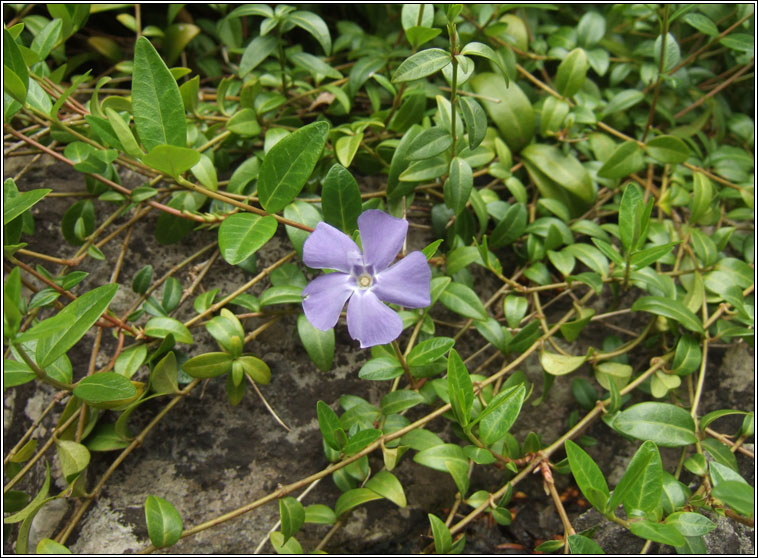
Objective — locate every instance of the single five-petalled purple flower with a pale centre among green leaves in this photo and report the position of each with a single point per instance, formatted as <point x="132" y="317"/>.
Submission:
<point x="364" y="279"/>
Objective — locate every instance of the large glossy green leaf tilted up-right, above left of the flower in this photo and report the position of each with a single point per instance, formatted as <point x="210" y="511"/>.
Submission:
<point x="288" y="165"/>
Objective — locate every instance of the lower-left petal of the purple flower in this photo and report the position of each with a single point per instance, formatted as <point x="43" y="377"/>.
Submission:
<point x="324" y="297"/>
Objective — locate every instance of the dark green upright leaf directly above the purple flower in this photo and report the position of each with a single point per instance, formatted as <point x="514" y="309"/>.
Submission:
<point x="341" y="199"/>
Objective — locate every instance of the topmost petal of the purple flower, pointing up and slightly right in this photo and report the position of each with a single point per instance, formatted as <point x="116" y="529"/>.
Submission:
<point x="382" y="236"/>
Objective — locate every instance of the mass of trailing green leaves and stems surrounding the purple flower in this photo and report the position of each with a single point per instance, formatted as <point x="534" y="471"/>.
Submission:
<point x="559" y="167"/>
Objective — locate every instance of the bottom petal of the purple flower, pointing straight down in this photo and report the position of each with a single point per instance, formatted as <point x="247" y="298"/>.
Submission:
<point x="371" y="322"/>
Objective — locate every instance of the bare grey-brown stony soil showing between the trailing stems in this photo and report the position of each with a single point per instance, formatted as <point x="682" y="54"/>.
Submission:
<point x="208" y="457"/>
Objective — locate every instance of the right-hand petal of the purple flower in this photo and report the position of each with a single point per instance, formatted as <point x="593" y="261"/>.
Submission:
<point x="406" y="283"/>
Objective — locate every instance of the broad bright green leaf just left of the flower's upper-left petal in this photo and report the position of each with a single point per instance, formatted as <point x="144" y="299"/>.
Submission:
<point x="241" y="235"/>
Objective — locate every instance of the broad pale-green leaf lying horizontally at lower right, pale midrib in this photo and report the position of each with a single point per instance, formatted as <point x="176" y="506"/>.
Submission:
<point x="665" y="424"/>
